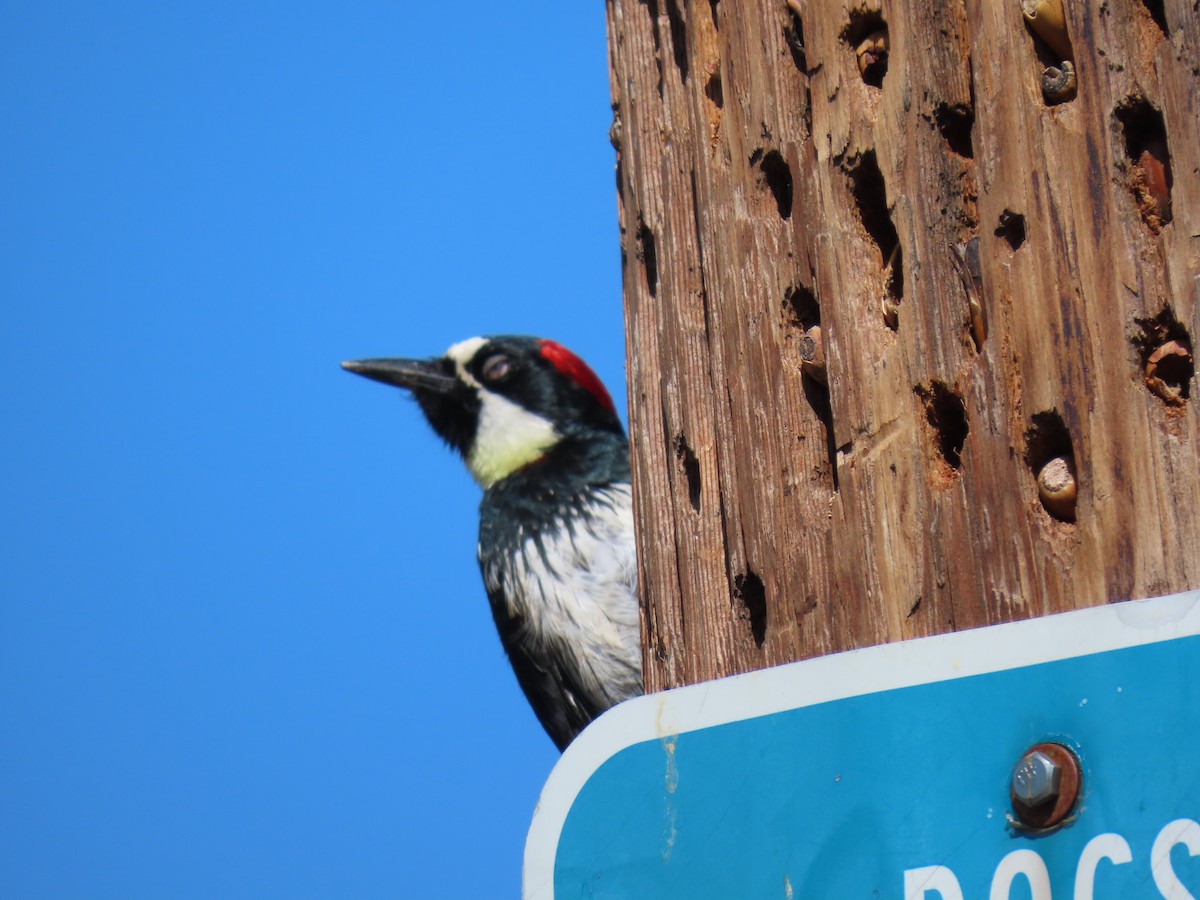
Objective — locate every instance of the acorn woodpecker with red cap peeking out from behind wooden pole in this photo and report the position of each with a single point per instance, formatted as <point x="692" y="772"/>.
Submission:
<point x="541" y="435"/>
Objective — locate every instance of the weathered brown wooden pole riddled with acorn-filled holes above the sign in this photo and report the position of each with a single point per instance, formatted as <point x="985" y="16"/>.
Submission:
<point x="991" y="233"/>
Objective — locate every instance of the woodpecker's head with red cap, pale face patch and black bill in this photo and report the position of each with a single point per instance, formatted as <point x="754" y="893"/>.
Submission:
<point x="503" y="403"/>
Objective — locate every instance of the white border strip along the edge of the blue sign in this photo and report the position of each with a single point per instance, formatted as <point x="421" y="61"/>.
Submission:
<point x="839" y="676"/>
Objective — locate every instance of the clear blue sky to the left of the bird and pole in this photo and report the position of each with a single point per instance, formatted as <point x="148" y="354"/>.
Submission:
<point x="244" y="647"/>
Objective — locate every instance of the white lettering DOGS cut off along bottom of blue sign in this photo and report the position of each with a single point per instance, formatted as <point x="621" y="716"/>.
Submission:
<point x="939" y="883"/>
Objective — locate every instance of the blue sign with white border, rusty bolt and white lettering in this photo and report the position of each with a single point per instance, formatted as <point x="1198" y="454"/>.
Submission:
<point x="1057" y="759"/>
